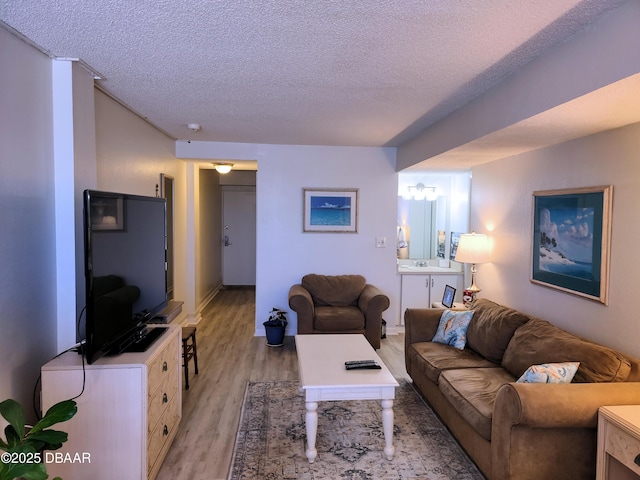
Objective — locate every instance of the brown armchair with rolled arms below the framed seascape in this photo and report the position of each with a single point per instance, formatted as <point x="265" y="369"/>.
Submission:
<point x="338" y="304"/>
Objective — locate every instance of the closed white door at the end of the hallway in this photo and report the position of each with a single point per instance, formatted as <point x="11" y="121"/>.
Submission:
<point x="239" y="236"/>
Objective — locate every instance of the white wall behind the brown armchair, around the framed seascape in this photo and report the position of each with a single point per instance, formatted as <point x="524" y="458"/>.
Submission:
<point x="284" y="252"/>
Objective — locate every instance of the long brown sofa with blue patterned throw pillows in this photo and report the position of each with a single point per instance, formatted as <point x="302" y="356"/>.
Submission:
<point x="518" y="431"/>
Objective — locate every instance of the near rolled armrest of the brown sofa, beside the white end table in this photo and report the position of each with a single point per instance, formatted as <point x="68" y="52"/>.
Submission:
<point x="550" y="429"/>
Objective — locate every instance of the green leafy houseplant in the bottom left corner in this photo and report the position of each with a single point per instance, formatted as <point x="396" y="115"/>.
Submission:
<point x="22" y="455"/>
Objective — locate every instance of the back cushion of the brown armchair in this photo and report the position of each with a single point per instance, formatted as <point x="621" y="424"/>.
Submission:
<point x="334" y="290"/>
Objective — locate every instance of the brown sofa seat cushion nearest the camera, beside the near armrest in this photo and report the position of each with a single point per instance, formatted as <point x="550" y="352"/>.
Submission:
<point x="472" y="392"/>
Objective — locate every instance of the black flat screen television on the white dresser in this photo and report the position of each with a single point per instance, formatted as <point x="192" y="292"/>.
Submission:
<point x="125" y="270"/>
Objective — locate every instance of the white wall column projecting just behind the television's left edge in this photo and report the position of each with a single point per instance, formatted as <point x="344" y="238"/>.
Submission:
<point x="74" y="160"/>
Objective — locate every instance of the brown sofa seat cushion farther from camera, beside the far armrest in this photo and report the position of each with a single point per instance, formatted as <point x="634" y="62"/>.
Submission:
<point x="432" y="358"/>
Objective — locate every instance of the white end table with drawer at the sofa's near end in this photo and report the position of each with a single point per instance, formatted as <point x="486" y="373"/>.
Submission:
<point x="618" y="443"/>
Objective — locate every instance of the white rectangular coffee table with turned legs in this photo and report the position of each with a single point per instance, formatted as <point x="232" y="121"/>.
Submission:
<point x="323" y="377"/>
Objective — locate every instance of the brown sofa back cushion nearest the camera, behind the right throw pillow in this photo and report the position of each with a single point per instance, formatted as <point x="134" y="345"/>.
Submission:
<point x="538" y="342"/>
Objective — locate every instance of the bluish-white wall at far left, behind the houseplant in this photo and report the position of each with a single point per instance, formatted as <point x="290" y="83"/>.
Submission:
<point x="27" y="218"/>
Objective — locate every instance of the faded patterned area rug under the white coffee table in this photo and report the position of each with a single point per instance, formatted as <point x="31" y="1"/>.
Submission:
<point x="271" y="439"/>
